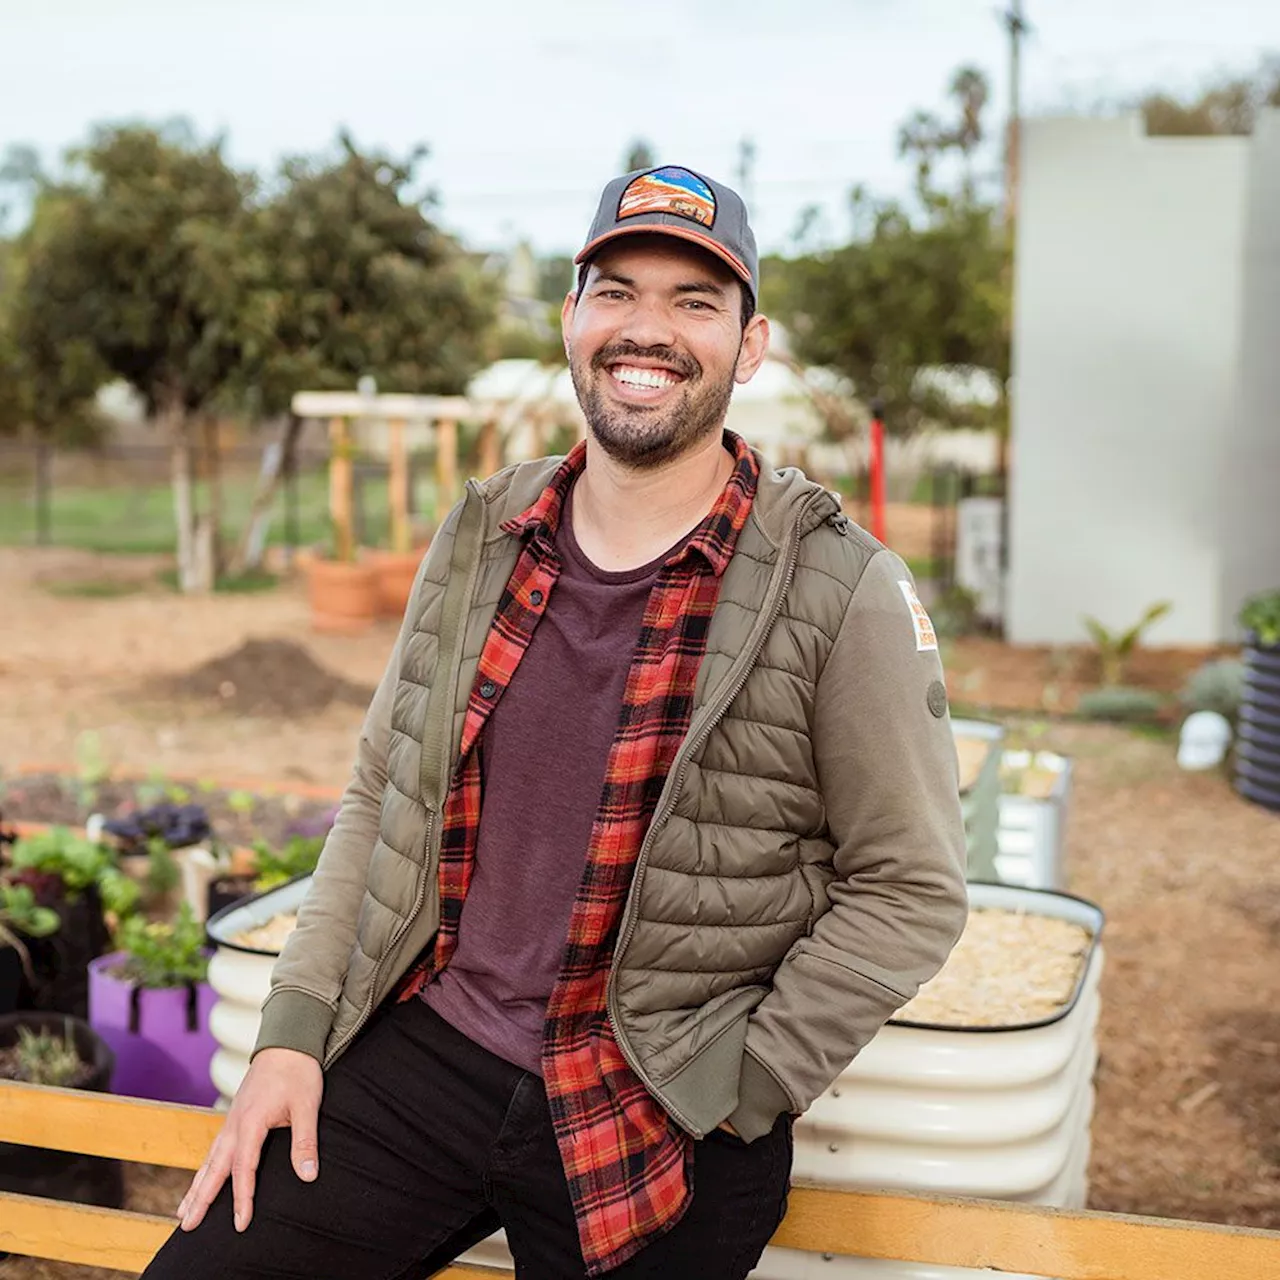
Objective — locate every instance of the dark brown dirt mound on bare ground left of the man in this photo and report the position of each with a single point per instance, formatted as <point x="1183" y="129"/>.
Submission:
<point x="268" y="678"/>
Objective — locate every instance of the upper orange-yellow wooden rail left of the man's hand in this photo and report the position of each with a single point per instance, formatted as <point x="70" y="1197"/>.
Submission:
<point x="102" y="1124"/>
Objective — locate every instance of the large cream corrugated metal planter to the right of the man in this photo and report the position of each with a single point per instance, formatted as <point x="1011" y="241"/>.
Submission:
<point x="999" y="1113"/>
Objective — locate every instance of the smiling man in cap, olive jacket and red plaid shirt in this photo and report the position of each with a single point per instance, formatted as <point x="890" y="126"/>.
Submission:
<point x="653" y="824"/>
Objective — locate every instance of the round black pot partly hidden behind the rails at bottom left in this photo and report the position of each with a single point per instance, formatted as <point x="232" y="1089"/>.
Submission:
<point x="61" y="1174"/>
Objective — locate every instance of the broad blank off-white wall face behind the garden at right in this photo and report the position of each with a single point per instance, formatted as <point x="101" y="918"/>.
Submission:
<point x="1128" y="309"/>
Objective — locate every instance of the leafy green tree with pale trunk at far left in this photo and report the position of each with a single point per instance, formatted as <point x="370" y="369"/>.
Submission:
<point x="140" y="267"/>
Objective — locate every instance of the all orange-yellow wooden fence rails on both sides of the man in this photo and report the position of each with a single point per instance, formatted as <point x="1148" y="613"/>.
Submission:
<point x="961" y="1233"/>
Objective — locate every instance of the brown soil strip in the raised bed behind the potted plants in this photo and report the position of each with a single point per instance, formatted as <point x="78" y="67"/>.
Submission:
<point x="57" y="799"/>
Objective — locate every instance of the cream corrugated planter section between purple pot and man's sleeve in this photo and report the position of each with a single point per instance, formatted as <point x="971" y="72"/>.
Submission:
<point x="241" y="976"/>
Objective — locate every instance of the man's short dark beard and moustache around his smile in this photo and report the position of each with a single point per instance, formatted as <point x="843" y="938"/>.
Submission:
<point x="646" y="437"/>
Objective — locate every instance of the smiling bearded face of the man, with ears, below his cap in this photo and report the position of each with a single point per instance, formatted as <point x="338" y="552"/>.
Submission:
<point x="656" y="344"/>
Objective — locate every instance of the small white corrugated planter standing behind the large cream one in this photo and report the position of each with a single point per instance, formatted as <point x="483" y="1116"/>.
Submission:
<point x="1032" y="825"/>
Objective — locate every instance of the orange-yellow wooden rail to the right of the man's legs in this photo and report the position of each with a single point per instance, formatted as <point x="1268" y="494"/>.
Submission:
<point x="1026" y="1238"/>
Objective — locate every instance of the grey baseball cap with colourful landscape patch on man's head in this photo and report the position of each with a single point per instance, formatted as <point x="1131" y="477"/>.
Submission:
<point x="676" y="202"/>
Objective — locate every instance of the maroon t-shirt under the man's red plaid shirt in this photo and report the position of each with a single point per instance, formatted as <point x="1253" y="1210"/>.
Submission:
<point x="543" y="755"/>
